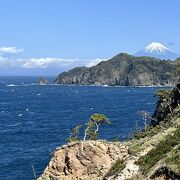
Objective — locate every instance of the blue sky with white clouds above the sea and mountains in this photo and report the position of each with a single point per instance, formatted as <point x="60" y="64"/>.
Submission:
<point x="51" y="36"/>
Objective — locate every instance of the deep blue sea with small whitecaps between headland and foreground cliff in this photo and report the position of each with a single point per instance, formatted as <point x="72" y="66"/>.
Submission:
<point x="35" y="119"/>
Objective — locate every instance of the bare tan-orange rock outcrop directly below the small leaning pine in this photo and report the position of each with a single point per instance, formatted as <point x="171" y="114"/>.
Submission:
<point x="86" y="160"/>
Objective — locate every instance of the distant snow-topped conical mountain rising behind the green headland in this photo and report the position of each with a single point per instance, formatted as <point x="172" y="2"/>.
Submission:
<point x="158" y="50"/>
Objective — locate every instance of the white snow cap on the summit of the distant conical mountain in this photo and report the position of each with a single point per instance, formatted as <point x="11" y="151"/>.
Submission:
<point x="156" y="47"/>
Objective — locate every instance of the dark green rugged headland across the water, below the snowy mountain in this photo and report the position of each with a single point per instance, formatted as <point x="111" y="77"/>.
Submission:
<point x="124" y="70"/>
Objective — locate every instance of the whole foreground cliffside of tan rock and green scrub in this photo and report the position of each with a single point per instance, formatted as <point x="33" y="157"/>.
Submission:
<point x="150" y="154"/>
